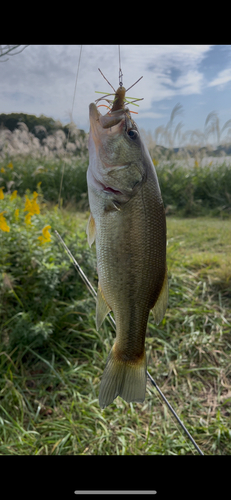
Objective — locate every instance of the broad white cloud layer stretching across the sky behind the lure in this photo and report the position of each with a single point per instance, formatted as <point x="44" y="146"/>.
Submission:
<point x="43" y="77"/>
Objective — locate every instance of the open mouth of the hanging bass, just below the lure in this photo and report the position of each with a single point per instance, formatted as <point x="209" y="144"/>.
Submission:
<point x="106" y="121"/>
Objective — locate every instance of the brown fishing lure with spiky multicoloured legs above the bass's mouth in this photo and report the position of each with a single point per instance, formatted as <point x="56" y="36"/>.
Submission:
<point x="120" y="100"/>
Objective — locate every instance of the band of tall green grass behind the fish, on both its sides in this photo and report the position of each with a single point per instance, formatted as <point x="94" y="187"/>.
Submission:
<point x="187" y="191"/>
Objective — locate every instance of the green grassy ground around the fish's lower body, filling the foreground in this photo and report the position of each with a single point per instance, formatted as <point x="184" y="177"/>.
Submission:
<point x="52" y="357"/>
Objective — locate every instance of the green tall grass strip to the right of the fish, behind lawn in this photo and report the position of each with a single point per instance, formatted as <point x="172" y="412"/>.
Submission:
<point x="199" y="190"/>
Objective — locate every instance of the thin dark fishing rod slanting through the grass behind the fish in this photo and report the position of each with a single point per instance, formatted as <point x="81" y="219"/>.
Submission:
<point x="113" y="324"/>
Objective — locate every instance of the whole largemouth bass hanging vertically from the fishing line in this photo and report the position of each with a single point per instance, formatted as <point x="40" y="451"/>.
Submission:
<point x="127" y="222"/>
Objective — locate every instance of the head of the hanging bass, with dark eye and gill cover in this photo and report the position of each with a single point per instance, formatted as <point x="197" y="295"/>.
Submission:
<point x="116" y="153"/>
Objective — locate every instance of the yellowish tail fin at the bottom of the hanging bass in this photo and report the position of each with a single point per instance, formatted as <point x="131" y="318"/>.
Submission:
<point x="123" y="378"/>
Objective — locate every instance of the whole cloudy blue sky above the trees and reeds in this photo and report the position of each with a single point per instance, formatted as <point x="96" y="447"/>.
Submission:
<point x="41" y="80"/>
